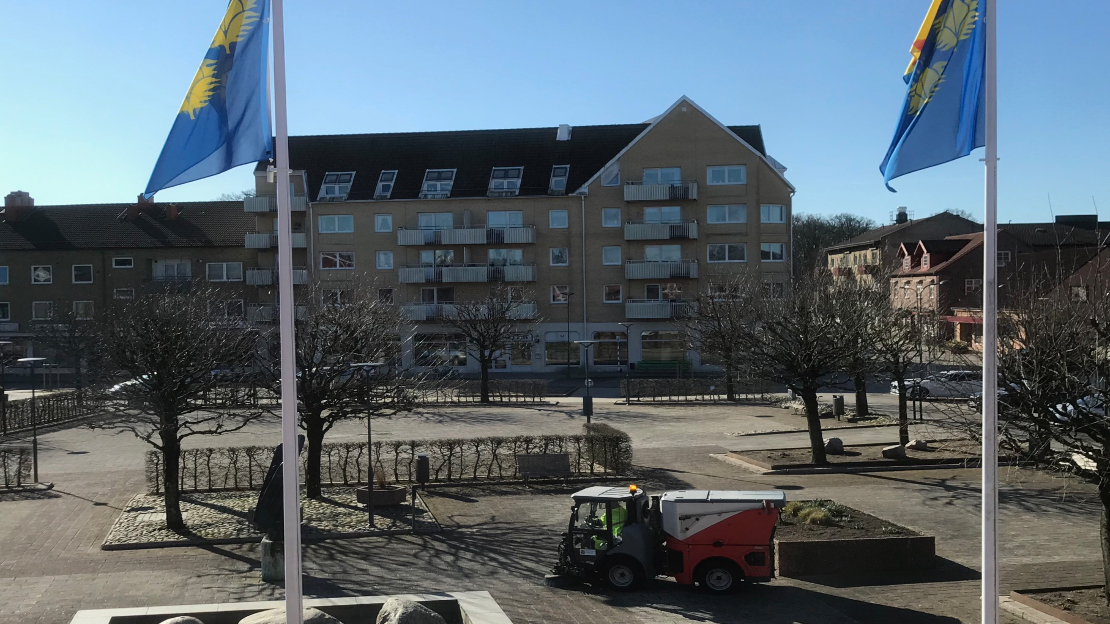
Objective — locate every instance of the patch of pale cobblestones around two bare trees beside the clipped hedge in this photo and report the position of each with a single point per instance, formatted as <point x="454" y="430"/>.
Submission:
<point x="221" y="518"/>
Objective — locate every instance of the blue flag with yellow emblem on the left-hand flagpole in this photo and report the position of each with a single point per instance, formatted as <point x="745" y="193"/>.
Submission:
<point x="225" y="122"/>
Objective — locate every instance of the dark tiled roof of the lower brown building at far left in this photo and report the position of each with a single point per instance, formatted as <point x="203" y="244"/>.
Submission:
<point x="218" y="224"/>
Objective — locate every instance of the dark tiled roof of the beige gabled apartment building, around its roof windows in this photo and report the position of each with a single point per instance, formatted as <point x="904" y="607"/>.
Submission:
<point x="472" y="153"/>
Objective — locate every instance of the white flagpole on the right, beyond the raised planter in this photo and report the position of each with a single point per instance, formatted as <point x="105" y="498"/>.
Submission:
<point x="991" y="334"/>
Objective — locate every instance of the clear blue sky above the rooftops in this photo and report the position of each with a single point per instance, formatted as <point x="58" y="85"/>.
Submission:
<point x="92" y="88"/>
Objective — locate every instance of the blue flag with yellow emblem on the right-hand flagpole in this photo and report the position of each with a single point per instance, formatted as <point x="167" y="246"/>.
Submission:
<point x="944" y="117"/>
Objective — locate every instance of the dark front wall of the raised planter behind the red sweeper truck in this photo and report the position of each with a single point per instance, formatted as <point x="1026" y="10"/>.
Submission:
<point x="855" y="557"/>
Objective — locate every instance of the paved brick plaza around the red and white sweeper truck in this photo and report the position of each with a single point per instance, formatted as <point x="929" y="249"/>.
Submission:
<point x="503" y="539"/>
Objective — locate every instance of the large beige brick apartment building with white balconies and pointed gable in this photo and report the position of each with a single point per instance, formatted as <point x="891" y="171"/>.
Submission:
<point x="592" y="227"/>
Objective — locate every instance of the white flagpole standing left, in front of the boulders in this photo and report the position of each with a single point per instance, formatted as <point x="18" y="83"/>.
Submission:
<point x="291" y="489"/>
